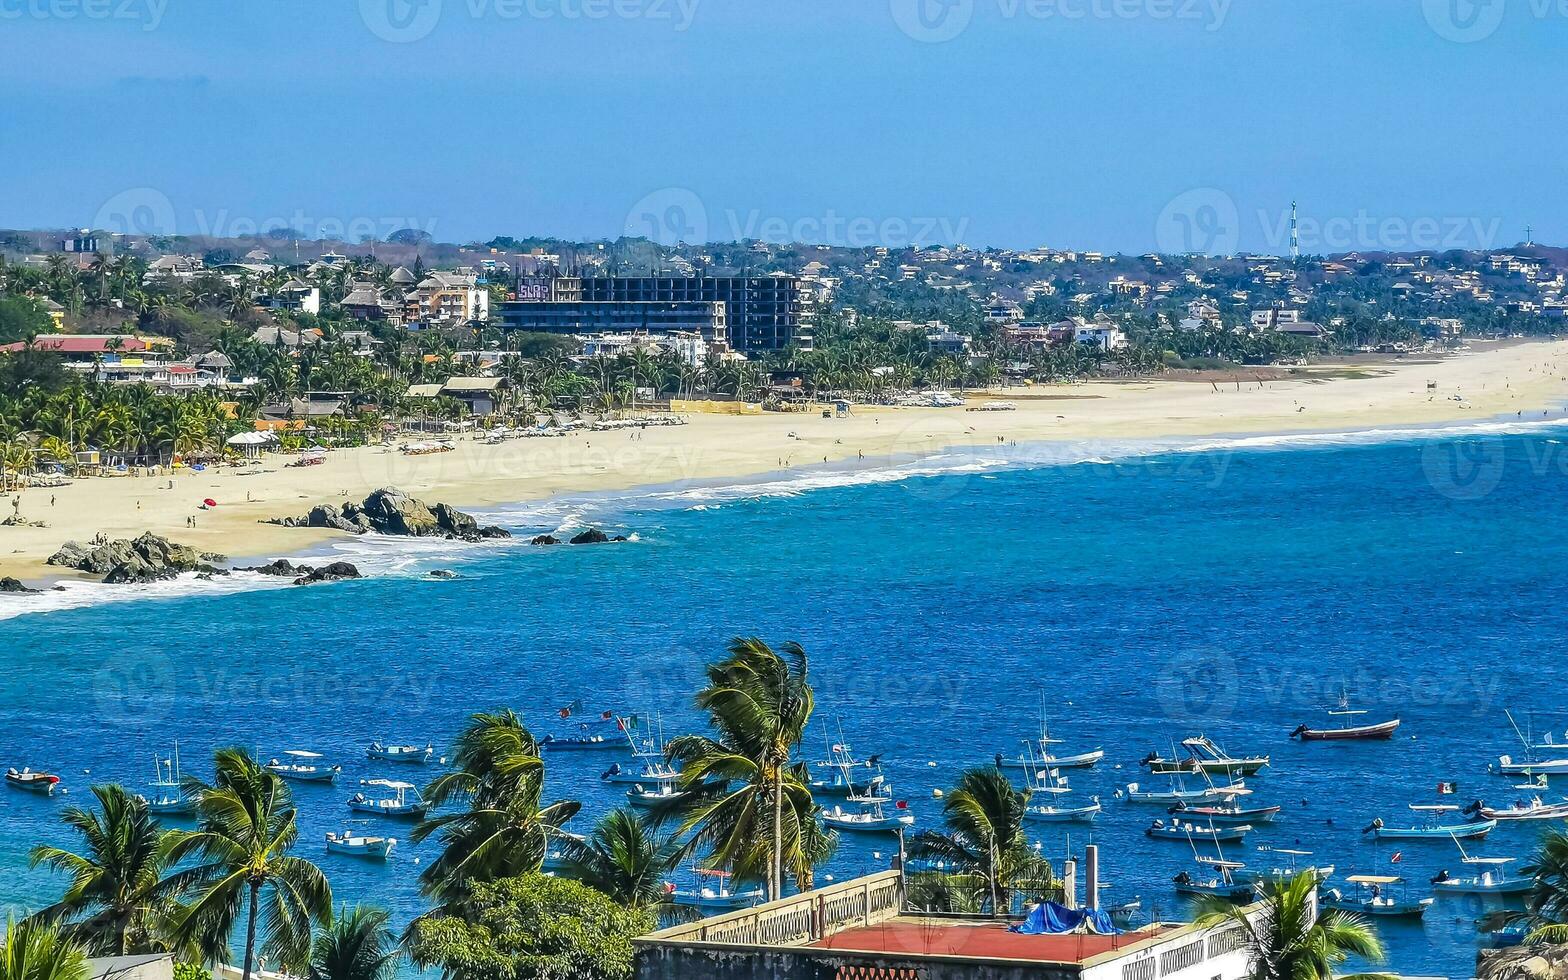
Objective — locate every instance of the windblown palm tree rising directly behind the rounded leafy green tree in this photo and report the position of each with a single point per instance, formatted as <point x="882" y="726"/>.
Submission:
<point x="504" y="830"/>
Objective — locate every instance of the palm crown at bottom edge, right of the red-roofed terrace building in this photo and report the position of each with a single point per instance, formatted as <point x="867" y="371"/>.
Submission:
<point x="1285" y="943"/>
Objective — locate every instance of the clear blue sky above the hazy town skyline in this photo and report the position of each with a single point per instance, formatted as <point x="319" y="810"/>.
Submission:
<point x="1111" y="125"/>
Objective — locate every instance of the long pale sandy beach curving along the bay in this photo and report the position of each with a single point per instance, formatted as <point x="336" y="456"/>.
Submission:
<point x="1492" y="382"/>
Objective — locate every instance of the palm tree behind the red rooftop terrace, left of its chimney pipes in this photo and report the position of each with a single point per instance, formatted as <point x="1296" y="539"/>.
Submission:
<point x="985" y="838"/>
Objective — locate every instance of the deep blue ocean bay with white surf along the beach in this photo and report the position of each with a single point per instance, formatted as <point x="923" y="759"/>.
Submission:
<point x="1150" y="593"/>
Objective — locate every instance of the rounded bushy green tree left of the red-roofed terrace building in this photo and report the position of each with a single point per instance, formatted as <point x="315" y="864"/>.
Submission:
<point x="532" y="927"/>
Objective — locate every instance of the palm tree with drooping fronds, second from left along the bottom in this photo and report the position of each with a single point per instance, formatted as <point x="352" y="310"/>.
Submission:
<point x="247" y="827"/>
